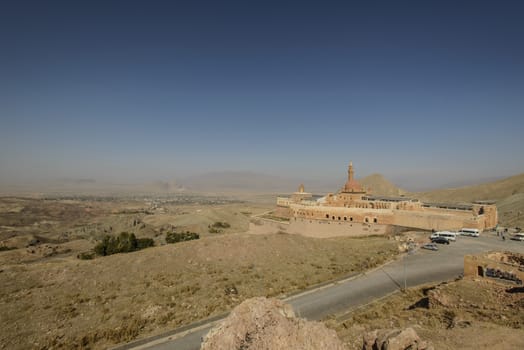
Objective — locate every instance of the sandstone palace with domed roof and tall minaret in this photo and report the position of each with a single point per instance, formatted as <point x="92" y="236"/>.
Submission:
<point x="353" y="211"/>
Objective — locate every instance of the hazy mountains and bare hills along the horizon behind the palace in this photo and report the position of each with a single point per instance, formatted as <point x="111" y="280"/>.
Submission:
<point x="508" y="193"/>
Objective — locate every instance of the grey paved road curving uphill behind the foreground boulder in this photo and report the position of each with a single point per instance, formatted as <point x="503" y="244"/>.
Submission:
<point x="421" y="267"/>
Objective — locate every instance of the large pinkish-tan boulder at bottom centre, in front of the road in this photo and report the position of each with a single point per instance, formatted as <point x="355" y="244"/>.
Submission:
<point x="261" y="323"/>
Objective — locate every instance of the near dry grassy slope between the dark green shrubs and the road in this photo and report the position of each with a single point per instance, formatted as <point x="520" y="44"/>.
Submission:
<point x="71" y="303"/>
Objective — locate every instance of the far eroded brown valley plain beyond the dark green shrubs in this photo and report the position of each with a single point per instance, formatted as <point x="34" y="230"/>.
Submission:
<point x="40" y="228"/>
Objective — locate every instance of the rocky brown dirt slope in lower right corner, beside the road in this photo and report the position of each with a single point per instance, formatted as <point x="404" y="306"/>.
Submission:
<point x="462" y="314"/>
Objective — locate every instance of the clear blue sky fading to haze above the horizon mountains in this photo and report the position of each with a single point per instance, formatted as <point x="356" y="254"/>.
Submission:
<point x="132" y="91"/>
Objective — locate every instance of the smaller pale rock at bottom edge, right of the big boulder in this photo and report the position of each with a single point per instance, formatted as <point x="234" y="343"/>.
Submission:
<point x="394" y="339"/>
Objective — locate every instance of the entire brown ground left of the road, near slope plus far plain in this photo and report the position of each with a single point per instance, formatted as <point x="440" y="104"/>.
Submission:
<point x="51" y="299"/>
